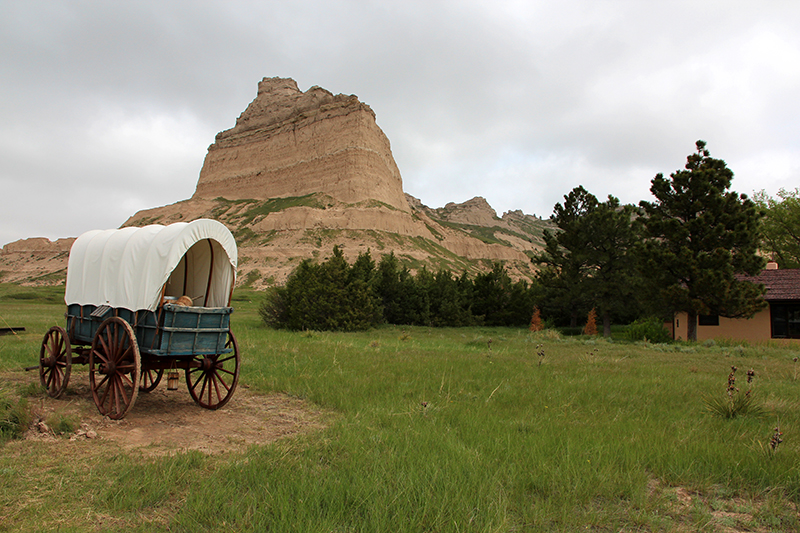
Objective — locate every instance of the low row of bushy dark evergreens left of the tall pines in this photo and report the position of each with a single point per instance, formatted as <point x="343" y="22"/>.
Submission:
<point x="334" y="295"/>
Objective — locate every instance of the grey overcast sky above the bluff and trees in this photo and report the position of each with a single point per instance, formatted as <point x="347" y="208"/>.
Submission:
<point x="109" y="107"/>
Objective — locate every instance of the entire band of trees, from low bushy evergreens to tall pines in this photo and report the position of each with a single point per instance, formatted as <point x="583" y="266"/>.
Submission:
<point x="686" y="250"/>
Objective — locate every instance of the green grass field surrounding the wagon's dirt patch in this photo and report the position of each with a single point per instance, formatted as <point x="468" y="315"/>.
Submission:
<point x="477" y="429"/>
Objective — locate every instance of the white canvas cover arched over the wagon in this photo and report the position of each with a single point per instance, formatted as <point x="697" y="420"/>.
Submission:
<point x="130" y="267"/>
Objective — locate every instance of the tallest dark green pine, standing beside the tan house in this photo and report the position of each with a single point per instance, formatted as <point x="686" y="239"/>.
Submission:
<point x="700" y="236"/>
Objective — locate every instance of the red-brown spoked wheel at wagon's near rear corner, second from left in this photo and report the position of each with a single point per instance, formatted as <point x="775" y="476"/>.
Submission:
<point x="114" y="368"/>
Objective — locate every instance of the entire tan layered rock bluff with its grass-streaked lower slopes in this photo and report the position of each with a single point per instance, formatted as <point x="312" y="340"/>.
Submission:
<point x="301" y="172"/>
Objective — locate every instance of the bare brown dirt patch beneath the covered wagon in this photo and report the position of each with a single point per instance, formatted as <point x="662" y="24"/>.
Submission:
<point x="163" y="422"/>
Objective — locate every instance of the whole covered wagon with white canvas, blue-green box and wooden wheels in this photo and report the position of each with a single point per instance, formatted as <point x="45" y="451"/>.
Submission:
<point x="142" y="301"/>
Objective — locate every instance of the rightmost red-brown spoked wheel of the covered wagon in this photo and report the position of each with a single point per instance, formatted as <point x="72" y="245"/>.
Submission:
<point x="213" y="378"/>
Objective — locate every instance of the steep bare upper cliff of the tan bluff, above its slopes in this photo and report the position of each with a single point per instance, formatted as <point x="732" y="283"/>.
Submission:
<point x="292" y="143"/>
